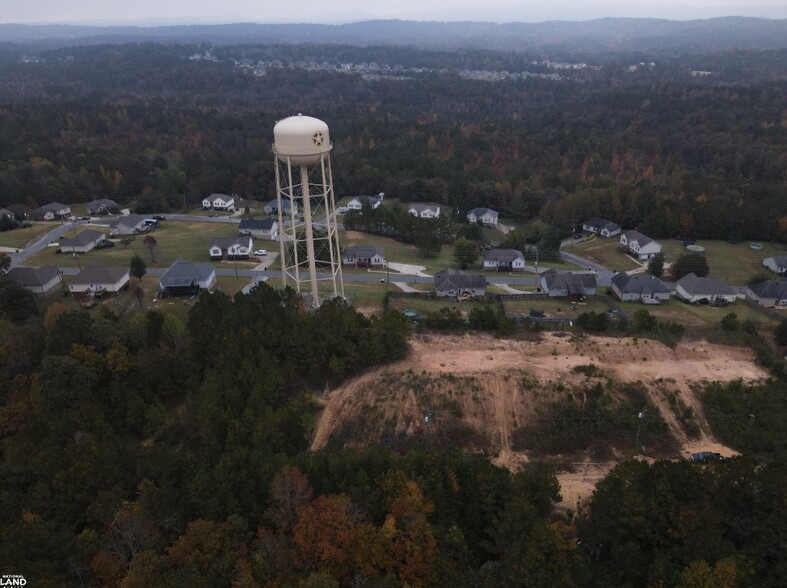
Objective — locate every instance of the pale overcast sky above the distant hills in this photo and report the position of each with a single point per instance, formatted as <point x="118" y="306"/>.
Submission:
<point x="157" y="12"/>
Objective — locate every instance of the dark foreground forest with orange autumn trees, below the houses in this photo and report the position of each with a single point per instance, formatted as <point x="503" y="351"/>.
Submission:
<point x="170" y="454"/>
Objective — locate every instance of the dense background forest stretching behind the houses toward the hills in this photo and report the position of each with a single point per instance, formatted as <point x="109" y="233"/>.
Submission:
<point x="661" y="151"/>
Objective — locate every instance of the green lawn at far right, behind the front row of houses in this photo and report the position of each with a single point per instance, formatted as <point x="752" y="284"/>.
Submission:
<point x="733" y="263"/>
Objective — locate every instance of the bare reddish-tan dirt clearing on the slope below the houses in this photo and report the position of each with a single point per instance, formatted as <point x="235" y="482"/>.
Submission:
<point x="473" y="385"/>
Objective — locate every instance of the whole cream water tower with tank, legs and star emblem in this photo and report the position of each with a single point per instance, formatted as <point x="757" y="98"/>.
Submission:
<point x="308" y="239"/>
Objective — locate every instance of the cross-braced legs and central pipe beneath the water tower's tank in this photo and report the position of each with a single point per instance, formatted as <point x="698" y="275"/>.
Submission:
<point x="309" y="248"/>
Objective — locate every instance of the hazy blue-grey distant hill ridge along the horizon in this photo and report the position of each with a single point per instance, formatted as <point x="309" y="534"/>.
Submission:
<point x="601" y="34"/>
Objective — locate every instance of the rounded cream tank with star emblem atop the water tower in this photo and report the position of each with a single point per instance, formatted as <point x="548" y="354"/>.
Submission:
<point x="301" y="138"/>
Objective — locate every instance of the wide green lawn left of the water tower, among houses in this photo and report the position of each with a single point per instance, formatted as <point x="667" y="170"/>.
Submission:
<point x="185" y="240"/>
